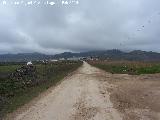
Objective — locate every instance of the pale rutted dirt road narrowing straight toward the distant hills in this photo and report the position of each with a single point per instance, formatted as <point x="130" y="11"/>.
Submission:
<point x="78" y="97"/>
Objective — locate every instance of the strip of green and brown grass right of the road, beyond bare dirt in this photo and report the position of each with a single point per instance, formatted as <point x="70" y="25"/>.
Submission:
<point x="127" y="67"/>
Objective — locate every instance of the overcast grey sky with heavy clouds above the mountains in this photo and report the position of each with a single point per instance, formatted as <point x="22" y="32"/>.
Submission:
<point x="81" y="25"/>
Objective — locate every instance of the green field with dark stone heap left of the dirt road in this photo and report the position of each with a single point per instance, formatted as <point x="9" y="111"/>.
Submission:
<point x="18" y="84"/>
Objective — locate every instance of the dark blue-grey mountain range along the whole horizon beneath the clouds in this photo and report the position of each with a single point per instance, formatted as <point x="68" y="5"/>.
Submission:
<point x="103" y="54"/>
